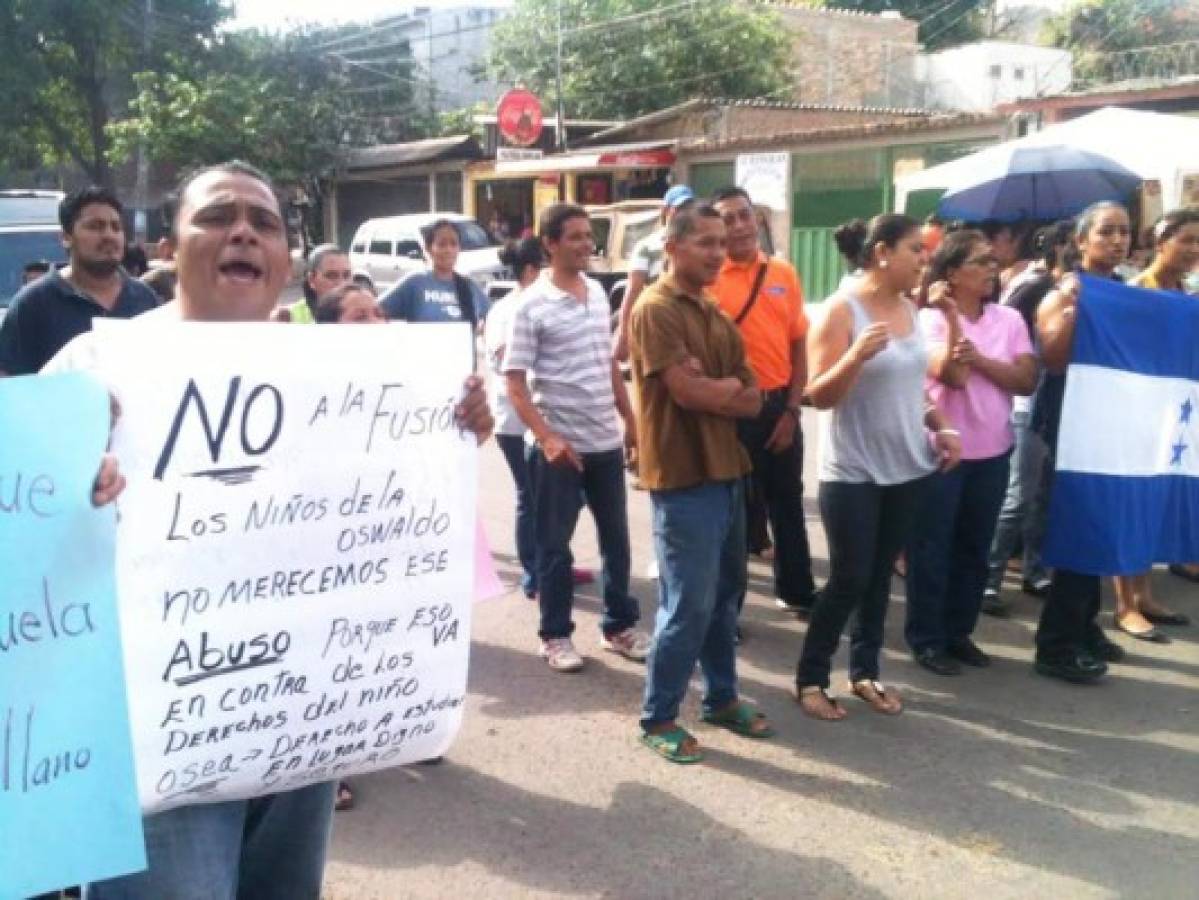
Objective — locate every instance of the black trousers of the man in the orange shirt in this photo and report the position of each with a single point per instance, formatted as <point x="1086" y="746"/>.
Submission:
<point x="780" y="491"/>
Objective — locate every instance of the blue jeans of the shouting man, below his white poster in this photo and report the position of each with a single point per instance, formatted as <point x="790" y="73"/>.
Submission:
<point x="267" y="849"/>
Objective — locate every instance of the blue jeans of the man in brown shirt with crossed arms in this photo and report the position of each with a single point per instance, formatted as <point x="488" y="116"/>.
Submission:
<point x="700" y="537"/>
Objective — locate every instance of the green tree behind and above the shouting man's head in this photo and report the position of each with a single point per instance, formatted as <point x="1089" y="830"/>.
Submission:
<point x="276" y="101"/>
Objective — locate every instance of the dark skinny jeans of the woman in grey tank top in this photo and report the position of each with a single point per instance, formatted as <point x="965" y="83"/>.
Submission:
<point x="867" y="525"/>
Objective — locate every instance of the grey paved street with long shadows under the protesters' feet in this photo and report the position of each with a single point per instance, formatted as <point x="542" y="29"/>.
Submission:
<point x="996" y="784"/>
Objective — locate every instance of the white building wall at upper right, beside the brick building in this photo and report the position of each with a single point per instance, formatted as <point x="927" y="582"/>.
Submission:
<point x="978" y="77"/>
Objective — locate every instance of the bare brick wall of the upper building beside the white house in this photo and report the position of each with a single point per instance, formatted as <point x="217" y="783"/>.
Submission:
<point x="853" y="59"/>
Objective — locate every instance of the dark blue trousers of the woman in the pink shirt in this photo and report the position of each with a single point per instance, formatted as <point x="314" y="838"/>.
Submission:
<point x="948" y="555"/>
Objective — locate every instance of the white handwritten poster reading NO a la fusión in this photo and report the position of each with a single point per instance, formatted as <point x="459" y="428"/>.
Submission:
<point x="296" y="551"/>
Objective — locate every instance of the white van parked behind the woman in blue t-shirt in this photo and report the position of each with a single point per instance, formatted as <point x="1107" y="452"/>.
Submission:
<point x="387" y="250"/>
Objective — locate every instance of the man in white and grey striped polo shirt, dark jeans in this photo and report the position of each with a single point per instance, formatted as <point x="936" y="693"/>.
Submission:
<point x="561" y="339"/>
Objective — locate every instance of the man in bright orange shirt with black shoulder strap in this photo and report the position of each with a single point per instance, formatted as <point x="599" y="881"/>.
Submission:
<point x="763" y="297"/>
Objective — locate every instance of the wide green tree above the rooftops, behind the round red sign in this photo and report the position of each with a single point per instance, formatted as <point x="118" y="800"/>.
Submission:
<point x="625" y="58"/>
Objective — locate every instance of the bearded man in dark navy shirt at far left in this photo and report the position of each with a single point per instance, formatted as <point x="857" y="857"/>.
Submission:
<point x="49" y="313"/>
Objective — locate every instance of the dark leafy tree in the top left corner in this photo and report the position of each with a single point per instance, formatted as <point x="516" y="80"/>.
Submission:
<point x="67" y="65"/>
